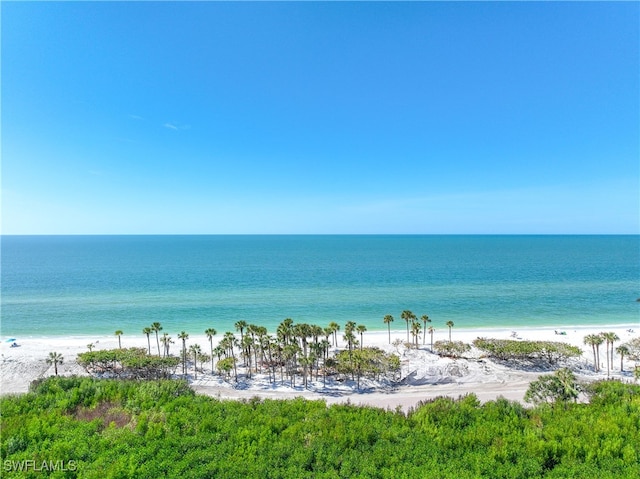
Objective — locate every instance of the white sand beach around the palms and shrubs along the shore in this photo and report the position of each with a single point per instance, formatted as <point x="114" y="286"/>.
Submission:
<point x="424" y="374"/>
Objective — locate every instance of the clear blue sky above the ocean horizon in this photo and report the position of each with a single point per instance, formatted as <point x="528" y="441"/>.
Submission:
<point x="294" y="117"/>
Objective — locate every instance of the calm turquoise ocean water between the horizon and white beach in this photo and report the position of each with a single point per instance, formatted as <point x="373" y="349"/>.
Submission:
<point x="84" y="285"/>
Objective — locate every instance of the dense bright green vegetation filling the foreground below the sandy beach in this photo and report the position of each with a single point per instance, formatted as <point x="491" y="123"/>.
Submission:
<point x="134" y="429"/>
